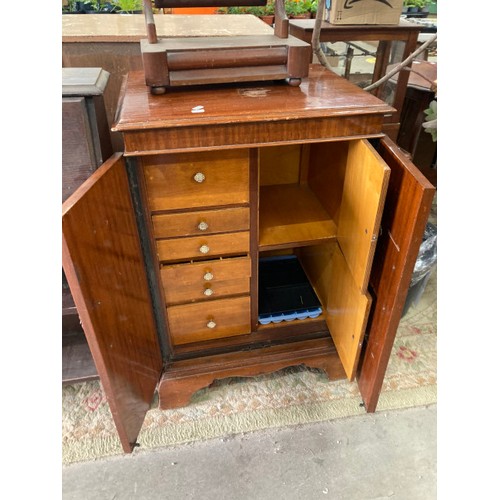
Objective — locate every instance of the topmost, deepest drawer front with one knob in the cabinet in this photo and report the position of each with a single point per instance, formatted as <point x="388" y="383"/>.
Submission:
<point x="192" y="180"/>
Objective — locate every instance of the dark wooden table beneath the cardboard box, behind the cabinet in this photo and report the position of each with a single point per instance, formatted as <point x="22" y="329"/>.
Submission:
<point x="395" y="43"/>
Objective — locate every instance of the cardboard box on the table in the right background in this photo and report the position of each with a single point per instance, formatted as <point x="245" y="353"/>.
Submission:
<point x="363" y="11"/>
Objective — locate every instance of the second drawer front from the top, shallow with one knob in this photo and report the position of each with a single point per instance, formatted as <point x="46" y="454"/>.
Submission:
<point x="201" y="222"/>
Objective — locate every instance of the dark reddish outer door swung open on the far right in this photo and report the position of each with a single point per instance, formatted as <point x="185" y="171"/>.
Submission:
<point x="407" y="206"/>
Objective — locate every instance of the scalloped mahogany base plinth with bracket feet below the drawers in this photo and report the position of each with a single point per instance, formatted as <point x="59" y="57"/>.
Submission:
<point x="183" y="378"/>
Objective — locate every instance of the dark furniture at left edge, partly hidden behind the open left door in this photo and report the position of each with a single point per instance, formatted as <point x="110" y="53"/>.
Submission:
<point x="85" y="145"/>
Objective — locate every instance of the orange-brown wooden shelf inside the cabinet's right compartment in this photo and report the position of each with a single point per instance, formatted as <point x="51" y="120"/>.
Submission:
<point x="292" y="216"/>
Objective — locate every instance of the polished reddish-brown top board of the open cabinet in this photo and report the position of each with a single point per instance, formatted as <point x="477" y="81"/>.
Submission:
<point x="322" y="94"/>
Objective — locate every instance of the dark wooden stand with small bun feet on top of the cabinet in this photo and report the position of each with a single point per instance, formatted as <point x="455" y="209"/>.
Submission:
<point x="195" y="60"/>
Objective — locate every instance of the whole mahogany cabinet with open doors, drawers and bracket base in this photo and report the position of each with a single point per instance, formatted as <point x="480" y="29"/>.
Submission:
<point x="161" y="245"/>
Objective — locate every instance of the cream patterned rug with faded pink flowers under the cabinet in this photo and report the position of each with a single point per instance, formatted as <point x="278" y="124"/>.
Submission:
<point x="292" y="396"/>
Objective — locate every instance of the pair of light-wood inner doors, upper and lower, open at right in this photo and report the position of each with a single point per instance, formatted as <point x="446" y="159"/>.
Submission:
<point x="365" y="187"/>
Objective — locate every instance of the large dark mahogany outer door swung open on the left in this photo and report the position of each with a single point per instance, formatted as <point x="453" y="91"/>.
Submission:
<point x="104" y="265"/>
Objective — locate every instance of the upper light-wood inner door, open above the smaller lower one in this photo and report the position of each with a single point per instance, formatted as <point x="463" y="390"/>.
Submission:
<point x="363" y="196"/>
